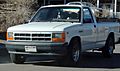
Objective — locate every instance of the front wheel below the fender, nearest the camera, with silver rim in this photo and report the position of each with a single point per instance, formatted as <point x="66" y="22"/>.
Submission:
<point x="74" y="52"/>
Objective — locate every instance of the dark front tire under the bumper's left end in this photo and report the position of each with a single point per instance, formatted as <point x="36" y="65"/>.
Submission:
<point x="17" y="58"/>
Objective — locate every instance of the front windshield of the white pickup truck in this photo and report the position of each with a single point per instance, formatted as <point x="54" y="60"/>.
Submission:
<point x="57" y="14"/>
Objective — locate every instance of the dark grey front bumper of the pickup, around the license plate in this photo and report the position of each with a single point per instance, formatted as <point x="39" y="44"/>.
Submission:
<point x="43" y="48"/>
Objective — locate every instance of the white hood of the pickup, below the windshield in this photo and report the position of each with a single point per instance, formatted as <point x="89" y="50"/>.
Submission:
<point x="41" y="26"/>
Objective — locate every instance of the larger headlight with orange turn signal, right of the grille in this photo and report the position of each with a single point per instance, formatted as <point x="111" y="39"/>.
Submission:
<point x="58" y="37"/>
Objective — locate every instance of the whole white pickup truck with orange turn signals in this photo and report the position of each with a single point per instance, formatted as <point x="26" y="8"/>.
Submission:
<point x="61" y="31"/>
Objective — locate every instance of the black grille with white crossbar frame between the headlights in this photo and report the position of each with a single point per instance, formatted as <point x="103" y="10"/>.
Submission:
<point x="42" y="37"/>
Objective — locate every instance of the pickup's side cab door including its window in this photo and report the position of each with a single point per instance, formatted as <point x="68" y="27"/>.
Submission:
<point x="89" y="30"/>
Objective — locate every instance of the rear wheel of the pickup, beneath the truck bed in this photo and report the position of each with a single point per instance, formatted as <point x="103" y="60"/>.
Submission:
<point x="109" y="47"/>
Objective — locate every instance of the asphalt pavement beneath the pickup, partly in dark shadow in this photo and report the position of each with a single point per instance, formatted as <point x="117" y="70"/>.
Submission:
<point x="91" y="61"/>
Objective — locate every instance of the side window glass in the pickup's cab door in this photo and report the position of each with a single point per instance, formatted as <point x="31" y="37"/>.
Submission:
<point x="87" y="16"/>
